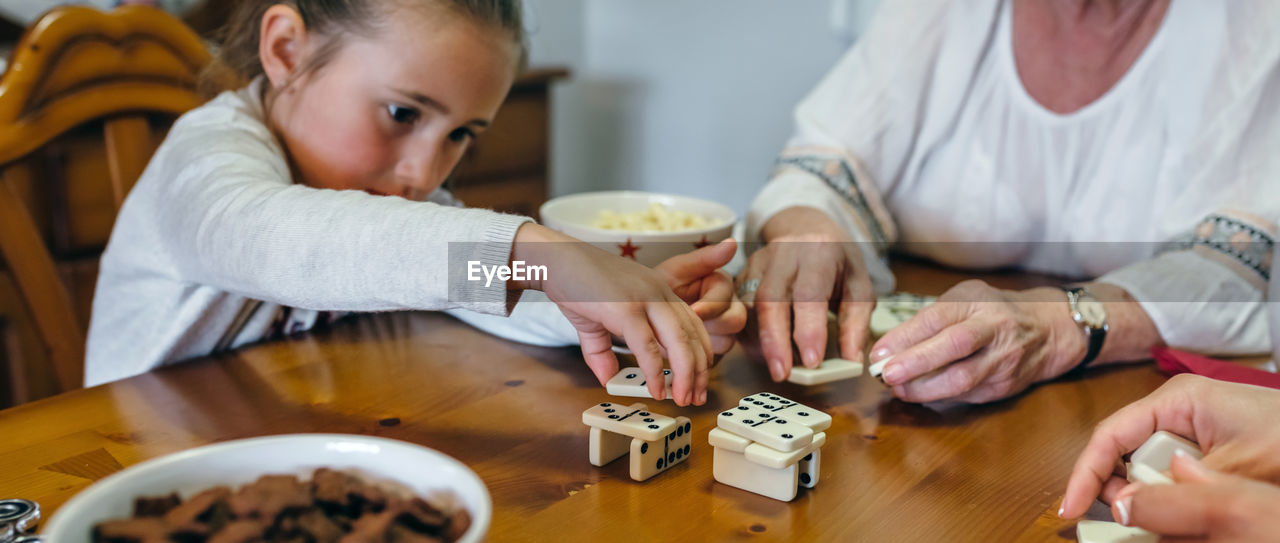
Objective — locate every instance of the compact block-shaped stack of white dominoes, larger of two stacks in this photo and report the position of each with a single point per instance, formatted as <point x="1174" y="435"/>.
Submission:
<point x="770" y="445"/>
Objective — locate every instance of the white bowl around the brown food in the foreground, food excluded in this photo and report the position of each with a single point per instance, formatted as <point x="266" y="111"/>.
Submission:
<point x="422" y="471"/>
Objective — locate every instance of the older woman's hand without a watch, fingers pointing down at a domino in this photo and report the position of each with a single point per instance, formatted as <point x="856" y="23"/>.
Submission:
<point x="807" y="266"/>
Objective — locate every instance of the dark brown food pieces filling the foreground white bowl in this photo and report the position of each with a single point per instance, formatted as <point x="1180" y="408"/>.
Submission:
<point x="332" y="507"/>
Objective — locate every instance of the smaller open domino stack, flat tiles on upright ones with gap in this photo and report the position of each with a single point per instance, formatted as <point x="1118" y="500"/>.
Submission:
<point x="656" y="442"/>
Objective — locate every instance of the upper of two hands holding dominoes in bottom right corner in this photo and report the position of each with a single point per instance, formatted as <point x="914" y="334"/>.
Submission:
<point x="1232" y="423"/>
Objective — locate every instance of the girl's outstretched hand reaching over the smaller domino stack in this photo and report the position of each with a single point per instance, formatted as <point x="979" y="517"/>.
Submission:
<point x="602" y="294"/>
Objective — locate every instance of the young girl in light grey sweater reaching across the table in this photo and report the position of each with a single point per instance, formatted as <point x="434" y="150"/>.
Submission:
<point x="317" y="188"/>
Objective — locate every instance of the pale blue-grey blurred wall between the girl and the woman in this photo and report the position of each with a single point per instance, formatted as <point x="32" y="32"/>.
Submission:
<point x="683" y="97"/>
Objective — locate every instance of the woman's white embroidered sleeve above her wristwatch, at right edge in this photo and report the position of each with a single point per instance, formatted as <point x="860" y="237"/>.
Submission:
<point x="1208" y="290"/>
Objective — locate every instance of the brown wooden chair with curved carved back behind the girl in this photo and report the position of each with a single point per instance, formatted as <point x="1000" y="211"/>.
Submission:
<point x="84" y="104"/>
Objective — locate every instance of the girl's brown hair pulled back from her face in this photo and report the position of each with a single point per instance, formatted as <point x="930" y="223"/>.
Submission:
<point x="237" y="61"/>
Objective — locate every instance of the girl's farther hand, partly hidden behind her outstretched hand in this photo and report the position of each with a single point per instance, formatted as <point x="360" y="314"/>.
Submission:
<point x="696" y="277"/>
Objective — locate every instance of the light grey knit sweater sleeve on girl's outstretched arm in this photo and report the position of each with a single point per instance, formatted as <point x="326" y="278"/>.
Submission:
<point x="234" y="220"/>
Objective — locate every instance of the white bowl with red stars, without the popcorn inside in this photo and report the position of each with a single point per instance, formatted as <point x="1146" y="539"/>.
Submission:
<point x="574" y="216"/>
